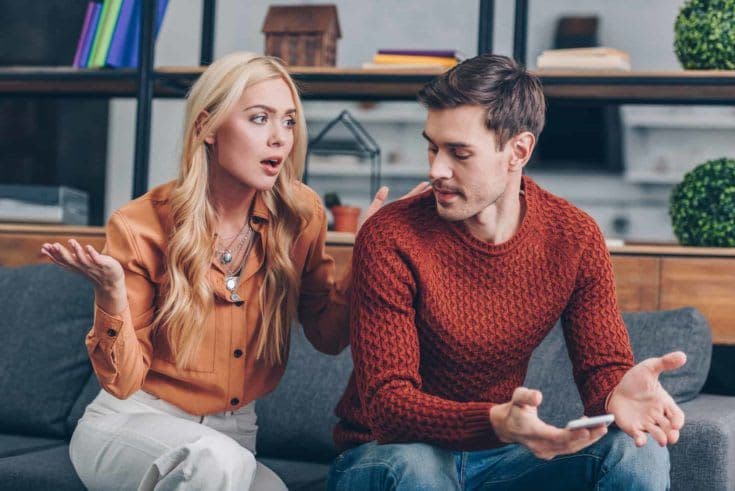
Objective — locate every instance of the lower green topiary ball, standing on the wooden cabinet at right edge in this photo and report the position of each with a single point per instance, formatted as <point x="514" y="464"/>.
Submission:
<point x="703" y="205"/>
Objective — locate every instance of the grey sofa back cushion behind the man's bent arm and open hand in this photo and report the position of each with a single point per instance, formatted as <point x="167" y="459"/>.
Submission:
<point x="651" y="334"/>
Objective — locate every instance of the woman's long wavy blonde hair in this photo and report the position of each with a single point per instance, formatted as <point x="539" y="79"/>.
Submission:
<point x="187" y="296"/>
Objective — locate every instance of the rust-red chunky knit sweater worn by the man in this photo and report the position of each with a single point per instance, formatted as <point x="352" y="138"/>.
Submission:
<point x="443" y="324"/>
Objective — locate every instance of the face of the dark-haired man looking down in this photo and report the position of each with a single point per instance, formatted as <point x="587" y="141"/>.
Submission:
<point x="466" y="170"/>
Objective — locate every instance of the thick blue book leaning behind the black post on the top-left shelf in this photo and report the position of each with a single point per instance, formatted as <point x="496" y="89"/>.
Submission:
<point x="125" y="44"/>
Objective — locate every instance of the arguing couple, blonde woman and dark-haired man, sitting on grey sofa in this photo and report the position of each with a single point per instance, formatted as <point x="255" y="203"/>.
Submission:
<point x="449" y="293"/>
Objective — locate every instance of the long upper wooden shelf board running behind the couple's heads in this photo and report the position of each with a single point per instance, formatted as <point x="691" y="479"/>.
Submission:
<point x="692" y="86"/>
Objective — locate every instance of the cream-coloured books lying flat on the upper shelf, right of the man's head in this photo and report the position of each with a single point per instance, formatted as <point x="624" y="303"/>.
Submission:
<point x="583" y="59"/>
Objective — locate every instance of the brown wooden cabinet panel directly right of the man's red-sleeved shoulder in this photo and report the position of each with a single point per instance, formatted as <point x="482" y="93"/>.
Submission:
<point x="637" y="282"/>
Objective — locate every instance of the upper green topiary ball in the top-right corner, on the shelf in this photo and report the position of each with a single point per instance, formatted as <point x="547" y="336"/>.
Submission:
<point x="704" y="34"/>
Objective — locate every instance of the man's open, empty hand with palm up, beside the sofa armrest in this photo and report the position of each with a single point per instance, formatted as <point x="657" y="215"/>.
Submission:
<point x="641" y="405"/>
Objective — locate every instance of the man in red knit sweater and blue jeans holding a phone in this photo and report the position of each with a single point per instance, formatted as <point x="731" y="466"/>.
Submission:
<point x="453" y="290"/>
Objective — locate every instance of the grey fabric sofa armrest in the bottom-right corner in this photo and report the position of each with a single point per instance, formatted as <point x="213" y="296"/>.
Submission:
<point x="704" y="457"/>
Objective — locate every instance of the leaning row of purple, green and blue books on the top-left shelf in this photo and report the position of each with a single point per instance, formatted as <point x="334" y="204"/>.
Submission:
<point x="110" y="34"/>
